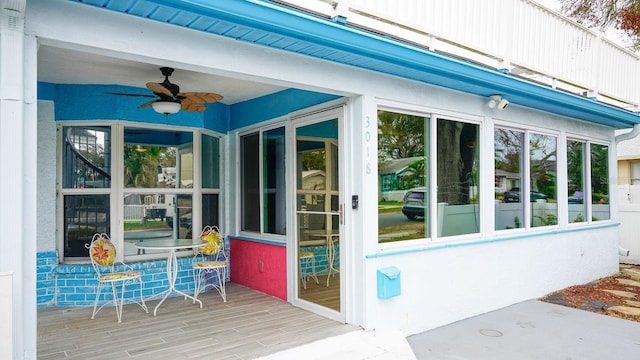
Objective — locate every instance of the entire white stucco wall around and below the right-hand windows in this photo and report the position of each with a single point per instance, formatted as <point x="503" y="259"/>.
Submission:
<point x="450" y="279"/>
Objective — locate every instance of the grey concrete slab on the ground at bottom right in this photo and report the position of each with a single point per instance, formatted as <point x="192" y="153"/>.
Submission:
<point x="532" y="330"/>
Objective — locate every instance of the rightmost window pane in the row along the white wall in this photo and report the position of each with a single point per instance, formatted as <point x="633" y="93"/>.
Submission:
<point x="600" y="182"/>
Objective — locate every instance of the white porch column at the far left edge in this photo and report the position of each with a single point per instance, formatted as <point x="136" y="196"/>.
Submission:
<point x="17" y="182"/>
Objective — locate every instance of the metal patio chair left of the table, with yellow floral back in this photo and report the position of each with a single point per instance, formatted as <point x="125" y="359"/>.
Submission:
<point x="102" y="252"/>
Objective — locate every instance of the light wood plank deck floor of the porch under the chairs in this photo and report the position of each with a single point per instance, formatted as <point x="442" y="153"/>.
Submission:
<point x="249" y="325"/>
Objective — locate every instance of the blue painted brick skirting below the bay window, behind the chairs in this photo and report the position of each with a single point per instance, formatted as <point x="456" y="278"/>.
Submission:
<point x="76" y="284"/>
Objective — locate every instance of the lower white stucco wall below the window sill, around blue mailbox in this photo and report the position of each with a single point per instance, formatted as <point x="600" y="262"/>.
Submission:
<point x="445" y="283"/>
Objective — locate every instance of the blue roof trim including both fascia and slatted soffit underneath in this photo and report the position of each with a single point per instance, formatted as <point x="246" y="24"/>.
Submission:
<point x="272" y="25"/>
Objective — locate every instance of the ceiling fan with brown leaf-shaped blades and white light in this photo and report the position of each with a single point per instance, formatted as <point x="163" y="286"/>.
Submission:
<point x="169" y="99"/>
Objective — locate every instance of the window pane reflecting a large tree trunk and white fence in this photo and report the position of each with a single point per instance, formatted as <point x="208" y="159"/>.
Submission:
<point x="458" y="181"/>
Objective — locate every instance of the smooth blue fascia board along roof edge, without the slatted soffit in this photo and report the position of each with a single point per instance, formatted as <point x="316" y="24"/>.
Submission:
<point x="447" y="72"/>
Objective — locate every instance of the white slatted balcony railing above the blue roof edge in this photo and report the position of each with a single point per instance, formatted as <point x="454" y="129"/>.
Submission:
<point x="517" y="35"/>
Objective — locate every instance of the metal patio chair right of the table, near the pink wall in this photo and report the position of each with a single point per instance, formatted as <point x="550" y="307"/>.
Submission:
<point x="210" y="259"/>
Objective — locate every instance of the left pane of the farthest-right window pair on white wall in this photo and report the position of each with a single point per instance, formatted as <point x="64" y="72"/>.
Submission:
<point x="575" y="181"/>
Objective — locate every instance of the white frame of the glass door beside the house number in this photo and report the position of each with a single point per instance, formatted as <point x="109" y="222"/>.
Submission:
<point x="293" y="281"/>
